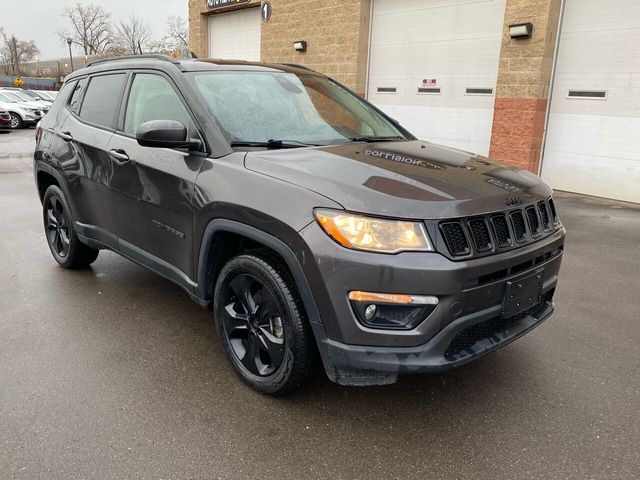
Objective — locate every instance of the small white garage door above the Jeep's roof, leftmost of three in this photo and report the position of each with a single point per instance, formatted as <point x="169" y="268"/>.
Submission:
<point x="235" y="35"/>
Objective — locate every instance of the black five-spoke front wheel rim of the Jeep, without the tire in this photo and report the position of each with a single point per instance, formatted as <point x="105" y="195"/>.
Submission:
<point x="253" y="325"/>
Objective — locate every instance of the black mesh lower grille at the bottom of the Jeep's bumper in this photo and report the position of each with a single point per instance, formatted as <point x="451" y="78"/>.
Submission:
<point x="495" y="328"/>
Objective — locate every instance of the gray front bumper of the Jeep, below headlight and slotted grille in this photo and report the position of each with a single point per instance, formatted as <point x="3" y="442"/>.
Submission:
<point x="471" y="292"/>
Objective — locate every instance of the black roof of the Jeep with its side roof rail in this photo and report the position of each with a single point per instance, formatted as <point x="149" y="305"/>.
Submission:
<point x="164" y="62"/>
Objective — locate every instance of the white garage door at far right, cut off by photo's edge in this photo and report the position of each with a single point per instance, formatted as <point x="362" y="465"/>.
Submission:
<point x="593" y="141"/>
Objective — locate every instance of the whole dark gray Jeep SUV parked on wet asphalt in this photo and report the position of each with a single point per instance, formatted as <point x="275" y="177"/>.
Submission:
<point x="314" y="226"/>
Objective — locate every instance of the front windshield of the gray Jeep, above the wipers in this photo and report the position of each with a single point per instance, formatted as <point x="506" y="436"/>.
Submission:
<point x="307" y="109"/>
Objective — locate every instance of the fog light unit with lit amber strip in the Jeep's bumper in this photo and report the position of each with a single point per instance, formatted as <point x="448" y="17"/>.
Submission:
<point x="391" y="311"/>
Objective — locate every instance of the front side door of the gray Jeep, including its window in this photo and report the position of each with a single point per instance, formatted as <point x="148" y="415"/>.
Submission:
<point x="152" y="188"/>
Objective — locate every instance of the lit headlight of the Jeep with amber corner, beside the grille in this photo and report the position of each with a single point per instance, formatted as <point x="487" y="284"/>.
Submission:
<point x="374" y="234"/>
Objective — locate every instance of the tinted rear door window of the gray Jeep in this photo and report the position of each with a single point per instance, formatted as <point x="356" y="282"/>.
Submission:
<point x="101" y="99"/>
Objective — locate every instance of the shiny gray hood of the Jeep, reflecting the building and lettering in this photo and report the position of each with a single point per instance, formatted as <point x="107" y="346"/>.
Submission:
<point x="410" y="179"/>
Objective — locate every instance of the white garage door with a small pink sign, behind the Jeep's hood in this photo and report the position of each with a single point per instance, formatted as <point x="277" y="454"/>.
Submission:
<point x="434" y="66"/>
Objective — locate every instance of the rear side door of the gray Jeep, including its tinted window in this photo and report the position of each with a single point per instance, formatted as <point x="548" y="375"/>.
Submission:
<point x="86" y="130"/>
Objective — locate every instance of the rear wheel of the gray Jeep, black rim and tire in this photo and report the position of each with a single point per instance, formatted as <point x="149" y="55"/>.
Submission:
<point x="62" y="239"/>
